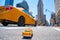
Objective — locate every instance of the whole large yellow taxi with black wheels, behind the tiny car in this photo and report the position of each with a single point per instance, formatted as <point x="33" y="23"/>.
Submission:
<point x="14" y="15"/>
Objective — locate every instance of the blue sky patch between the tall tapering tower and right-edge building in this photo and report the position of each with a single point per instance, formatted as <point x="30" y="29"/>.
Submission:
<point x="49" y="4"/>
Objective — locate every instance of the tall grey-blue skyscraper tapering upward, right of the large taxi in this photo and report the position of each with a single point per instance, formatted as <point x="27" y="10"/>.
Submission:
<point x="40" y="15"/>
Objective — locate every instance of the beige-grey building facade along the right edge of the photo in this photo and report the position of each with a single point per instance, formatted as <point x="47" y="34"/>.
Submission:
<point x="57" y="10"/>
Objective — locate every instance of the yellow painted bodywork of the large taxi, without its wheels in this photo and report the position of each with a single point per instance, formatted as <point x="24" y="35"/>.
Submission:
<point x="14" y="14"/>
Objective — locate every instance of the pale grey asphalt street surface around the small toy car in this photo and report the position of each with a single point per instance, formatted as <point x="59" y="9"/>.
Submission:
<point x="39" y="33"/>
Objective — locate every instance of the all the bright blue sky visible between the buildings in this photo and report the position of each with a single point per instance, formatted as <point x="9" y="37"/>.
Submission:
<point x="48" y="4"/>
